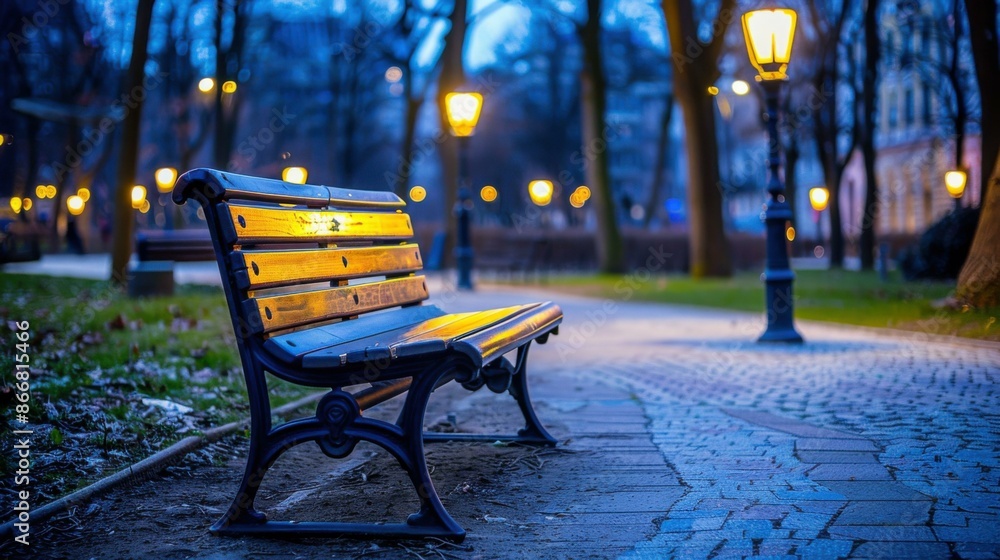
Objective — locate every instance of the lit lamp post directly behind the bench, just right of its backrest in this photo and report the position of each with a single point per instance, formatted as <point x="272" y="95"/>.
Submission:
<point x="463" y="114"/>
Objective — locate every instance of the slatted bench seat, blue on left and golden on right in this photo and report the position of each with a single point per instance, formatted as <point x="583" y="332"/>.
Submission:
<point x="403" y="333"/>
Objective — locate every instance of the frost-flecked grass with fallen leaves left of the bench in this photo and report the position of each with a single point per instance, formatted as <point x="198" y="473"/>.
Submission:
<point x="95" y="354"/>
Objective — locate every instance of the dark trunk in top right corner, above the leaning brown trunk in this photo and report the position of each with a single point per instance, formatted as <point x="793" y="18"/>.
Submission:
<point x="983" y="31"/>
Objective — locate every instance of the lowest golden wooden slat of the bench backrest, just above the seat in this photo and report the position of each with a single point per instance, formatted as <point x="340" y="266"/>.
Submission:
<point x="291" y="310"/>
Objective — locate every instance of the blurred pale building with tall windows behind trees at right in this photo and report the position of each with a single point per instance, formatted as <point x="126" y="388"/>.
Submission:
<point x="916" y="139"/>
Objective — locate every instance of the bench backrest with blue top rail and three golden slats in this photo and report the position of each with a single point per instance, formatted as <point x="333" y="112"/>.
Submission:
<point x="302" y="255"/>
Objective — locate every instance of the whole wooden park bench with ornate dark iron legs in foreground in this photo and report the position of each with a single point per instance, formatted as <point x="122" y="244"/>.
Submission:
<point x="338" y="305"/>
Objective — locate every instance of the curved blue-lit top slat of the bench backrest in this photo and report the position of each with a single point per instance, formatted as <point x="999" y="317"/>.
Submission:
<point x="220" y="185"/>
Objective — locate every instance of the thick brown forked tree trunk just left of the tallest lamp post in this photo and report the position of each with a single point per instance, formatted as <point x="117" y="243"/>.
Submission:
<point x="695" y="69"/>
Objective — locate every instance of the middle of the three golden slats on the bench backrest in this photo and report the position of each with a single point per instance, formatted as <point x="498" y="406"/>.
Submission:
<point x="266" y="269"/>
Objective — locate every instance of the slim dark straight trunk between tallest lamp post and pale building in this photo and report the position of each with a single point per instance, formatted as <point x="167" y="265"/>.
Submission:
<point x="869" y="96"/>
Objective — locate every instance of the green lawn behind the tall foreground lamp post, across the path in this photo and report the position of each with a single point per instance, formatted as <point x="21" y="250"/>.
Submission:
<point x="854" y="298"/>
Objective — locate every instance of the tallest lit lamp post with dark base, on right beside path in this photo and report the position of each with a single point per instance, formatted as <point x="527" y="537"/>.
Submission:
<point x="769" y="35"/>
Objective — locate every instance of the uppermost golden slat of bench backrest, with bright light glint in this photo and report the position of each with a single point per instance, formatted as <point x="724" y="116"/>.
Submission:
<point x="259" y="224"/>
